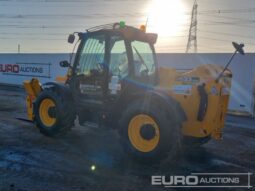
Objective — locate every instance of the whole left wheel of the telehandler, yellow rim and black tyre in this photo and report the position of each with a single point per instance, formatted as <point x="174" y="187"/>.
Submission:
<point x="54" y="112"/>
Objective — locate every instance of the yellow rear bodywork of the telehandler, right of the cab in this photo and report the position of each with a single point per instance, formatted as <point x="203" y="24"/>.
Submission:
<point x="183" y="86"/>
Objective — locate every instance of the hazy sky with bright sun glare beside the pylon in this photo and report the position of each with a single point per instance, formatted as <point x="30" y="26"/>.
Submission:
<point x="43" y="25"/>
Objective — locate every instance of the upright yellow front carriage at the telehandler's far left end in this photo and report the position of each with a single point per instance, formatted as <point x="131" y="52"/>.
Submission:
<point x="33" y="88"/>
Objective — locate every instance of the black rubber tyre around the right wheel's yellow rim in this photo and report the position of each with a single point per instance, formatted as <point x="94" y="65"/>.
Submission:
<point x="169" y="130"/>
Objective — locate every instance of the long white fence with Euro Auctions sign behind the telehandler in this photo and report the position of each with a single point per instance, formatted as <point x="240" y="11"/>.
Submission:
<point x="15" y="68"/>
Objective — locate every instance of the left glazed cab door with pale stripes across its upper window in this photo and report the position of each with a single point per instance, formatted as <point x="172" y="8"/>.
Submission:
<point x="91" y="71"/>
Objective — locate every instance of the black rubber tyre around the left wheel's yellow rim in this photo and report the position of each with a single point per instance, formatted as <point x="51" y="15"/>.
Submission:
<point x="64" y="112"/>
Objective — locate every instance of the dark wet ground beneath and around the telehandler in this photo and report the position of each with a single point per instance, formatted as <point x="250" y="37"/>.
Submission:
<point x="30" y="161"/>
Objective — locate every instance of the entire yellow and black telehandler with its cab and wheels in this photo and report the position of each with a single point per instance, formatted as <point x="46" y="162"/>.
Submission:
<point x="115" y="82"/>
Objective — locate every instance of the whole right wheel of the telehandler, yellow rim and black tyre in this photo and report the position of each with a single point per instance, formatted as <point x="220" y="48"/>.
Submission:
<point x="149" y="133"/>
